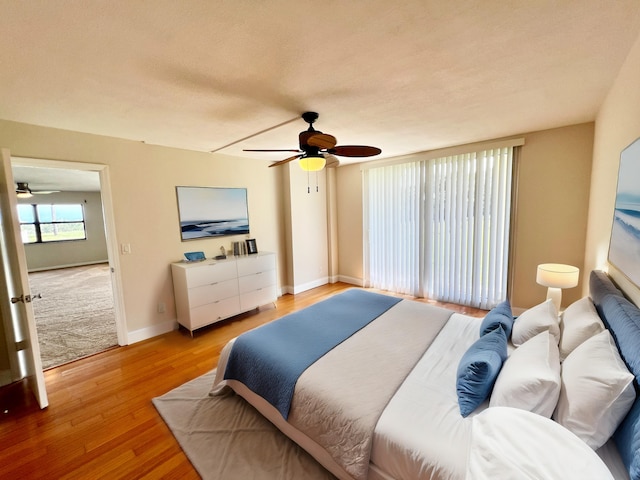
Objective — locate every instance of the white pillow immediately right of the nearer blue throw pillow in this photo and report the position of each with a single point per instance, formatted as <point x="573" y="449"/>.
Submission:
<point x="530" y="377"/>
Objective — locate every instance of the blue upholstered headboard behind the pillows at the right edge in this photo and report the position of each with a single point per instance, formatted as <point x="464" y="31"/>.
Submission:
<point x="622" y="318"/>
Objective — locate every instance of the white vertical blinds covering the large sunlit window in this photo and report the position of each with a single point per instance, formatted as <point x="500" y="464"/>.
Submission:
<point x="439" y="228"/>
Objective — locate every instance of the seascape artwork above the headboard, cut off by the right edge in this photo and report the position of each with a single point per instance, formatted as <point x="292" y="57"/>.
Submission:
<point x="624" y="248"/>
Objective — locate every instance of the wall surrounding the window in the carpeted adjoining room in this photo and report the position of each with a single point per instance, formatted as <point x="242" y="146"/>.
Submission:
<point x="63" y="254"/>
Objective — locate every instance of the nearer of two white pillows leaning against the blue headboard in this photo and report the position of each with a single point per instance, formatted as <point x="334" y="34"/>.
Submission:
<point x="597" y="390"/>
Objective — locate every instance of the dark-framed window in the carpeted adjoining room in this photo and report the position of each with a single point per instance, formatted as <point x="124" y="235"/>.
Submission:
<point x="41" y="223"/>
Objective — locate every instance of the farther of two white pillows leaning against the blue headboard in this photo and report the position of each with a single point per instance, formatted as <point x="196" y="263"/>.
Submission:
<point x="579" y="322"/>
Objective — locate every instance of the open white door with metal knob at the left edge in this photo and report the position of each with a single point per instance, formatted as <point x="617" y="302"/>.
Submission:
<point x="15" y="294"/>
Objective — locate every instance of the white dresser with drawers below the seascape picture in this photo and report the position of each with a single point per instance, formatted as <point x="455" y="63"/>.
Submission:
<point x="209" y="291"/>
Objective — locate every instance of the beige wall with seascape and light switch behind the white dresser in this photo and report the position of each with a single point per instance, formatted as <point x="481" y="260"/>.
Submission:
<point x="143" y="179"/>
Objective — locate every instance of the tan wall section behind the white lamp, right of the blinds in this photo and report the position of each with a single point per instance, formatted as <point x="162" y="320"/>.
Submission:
<point x="551" y="209"/>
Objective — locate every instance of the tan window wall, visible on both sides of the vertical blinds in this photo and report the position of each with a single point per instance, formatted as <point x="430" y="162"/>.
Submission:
<point x="553" y="192"/>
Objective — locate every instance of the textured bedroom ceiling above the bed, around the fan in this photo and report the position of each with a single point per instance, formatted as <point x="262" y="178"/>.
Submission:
<point x="403" y="76"/>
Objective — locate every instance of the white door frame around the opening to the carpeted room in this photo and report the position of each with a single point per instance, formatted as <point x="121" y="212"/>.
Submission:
<point x="109" y="225"/>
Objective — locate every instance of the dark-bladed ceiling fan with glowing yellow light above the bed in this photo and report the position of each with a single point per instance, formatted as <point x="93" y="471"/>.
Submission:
<point x="317" y="149"/>
